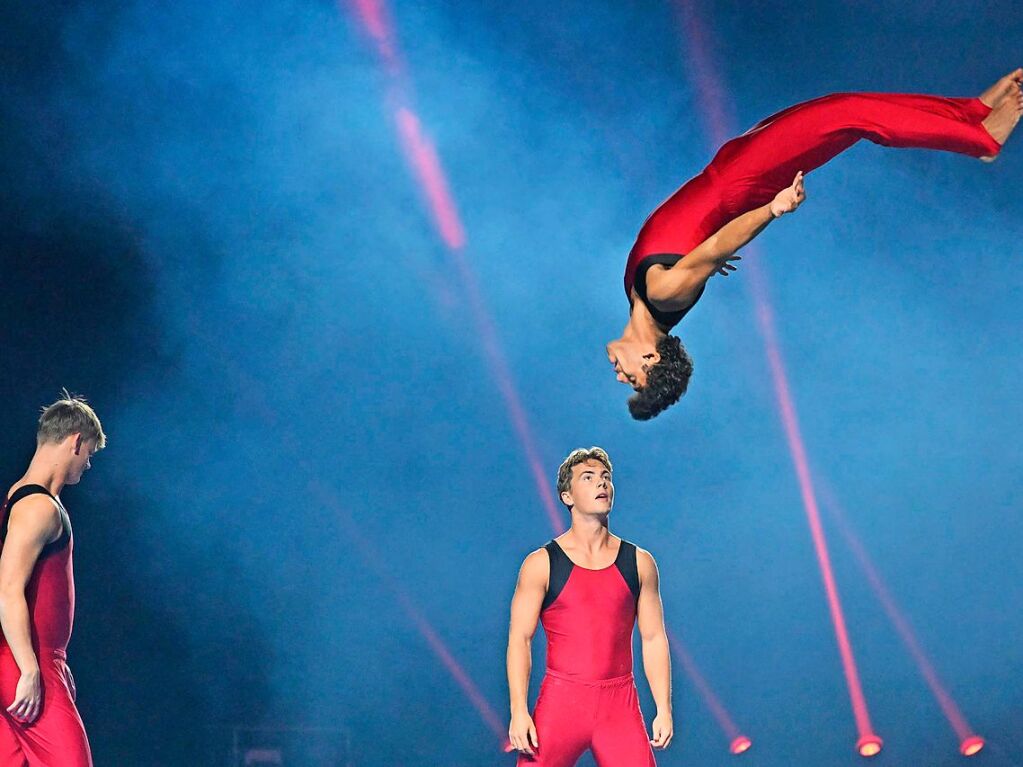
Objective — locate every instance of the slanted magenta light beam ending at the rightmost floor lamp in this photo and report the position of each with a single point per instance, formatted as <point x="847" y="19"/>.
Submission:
<point x="969" y="741"/>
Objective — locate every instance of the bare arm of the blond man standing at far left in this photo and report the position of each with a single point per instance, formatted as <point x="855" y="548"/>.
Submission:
<point x="34" y="523"/>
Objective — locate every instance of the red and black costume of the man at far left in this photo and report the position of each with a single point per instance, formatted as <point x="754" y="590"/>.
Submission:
<point x="57" y="739"/>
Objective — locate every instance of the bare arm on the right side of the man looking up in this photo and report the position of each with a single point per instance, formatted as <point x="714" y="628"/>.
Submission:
<point x="656" y="658"/>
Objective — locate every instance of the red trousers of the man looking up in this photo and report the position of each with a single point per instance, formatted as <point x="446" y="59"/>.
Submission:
<point x="603" y="717"/>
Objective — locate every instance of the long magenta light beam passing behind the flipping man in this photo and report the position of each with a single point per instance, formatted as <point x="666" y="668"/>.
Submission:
<point x="713" y="102"/>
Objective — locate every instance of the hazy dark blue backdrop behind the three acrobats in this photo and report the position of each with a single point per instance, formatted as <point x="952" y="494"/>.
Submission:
<point x="208" y="227"/>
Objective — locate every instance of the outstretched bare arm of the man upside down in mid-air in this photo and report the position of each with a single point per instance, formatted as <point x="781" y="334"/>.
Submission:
<point x="679" y="287"/>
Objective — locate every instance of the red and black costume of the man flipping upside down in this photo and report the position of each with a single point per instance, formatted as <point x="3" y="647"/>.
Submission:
<point x="749" y="171"/>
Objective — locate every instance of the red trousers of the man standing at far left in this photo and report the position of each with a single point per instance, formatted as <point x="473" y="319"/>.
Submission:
<point x="58" y="738"/>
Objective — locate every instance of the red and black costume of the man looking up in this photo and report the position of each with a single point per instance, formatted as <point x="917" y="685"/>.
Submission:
<point x="589" y="698"/>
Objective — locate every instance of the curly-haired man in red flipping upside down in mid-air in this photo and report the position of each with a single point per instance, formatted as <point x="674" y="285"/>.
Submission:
<point x="753" y="181"/>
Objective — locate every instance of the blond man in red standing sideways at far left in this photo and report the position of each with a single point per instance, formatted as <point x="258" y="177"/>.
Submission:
<point x="41" y="727"/>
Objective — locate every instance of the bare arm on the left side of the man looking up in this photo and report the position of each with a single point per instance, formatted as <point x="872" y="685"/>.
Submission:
<point x="526" y="604"/>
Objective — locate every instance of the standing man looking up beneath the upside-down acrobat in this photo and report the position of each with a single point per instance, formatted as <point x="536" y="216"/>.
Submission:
<point x="590" y="590"/>
